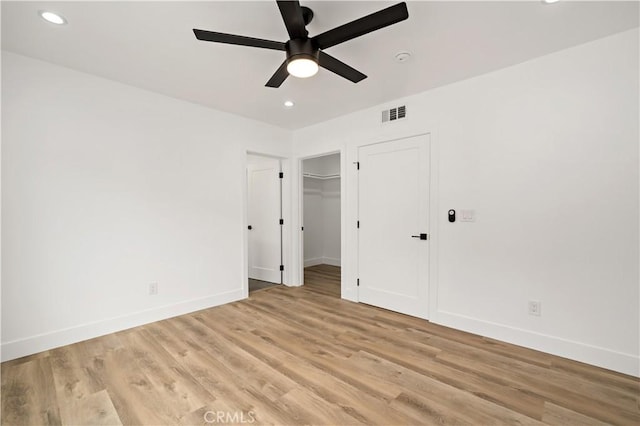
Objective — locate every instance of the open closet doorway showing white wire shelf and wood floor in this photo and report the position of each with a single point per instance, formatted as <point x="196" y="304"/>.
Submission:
<point x="321" y="223"/>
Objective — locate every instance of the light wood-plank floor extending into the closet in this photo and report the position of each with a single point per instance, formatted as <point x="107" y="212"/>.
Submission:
<point x="297" y="356"/>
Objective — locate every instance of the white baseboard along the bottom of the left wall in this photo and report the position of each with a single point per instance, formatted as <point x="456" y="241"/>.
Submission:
<point x="42" y="342"/>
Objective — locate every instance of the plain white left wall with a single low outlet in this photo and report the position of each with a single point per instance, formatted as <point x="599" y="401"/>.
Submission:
<point x="107" y="188"/>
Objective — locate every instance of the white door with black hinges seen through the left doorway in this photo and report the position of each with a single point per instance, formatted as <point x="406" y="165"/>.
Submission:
<point x="264" y="221"/>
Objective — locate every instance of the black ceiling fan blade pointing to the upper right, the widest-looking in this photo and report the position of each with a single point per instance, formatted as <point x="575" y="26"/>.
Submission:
<point x="362" y="26"/>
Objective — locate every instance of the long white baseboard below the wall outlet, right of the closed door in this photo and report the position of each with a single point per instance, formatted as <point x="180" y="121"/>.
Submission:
<point x="601" y="357"/>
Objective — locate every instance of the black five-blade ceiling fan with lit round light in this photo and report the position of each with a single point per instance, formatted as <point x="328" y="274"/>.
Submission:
<point x="305" y="54"/>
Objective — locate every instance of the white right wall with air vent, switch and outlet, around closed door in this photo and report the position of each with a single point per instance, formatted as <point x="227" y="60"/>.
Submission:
<point x="546" y="152"/>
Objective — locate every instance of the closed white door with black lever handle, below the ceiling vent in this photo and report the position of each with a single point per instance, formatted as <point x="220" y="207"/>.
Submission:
<point x="393" y="266"/>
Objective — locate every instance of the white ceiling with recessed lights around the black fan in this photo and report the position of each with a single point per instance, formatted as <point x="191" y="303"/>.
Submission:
<point x="151" y="45"/>
